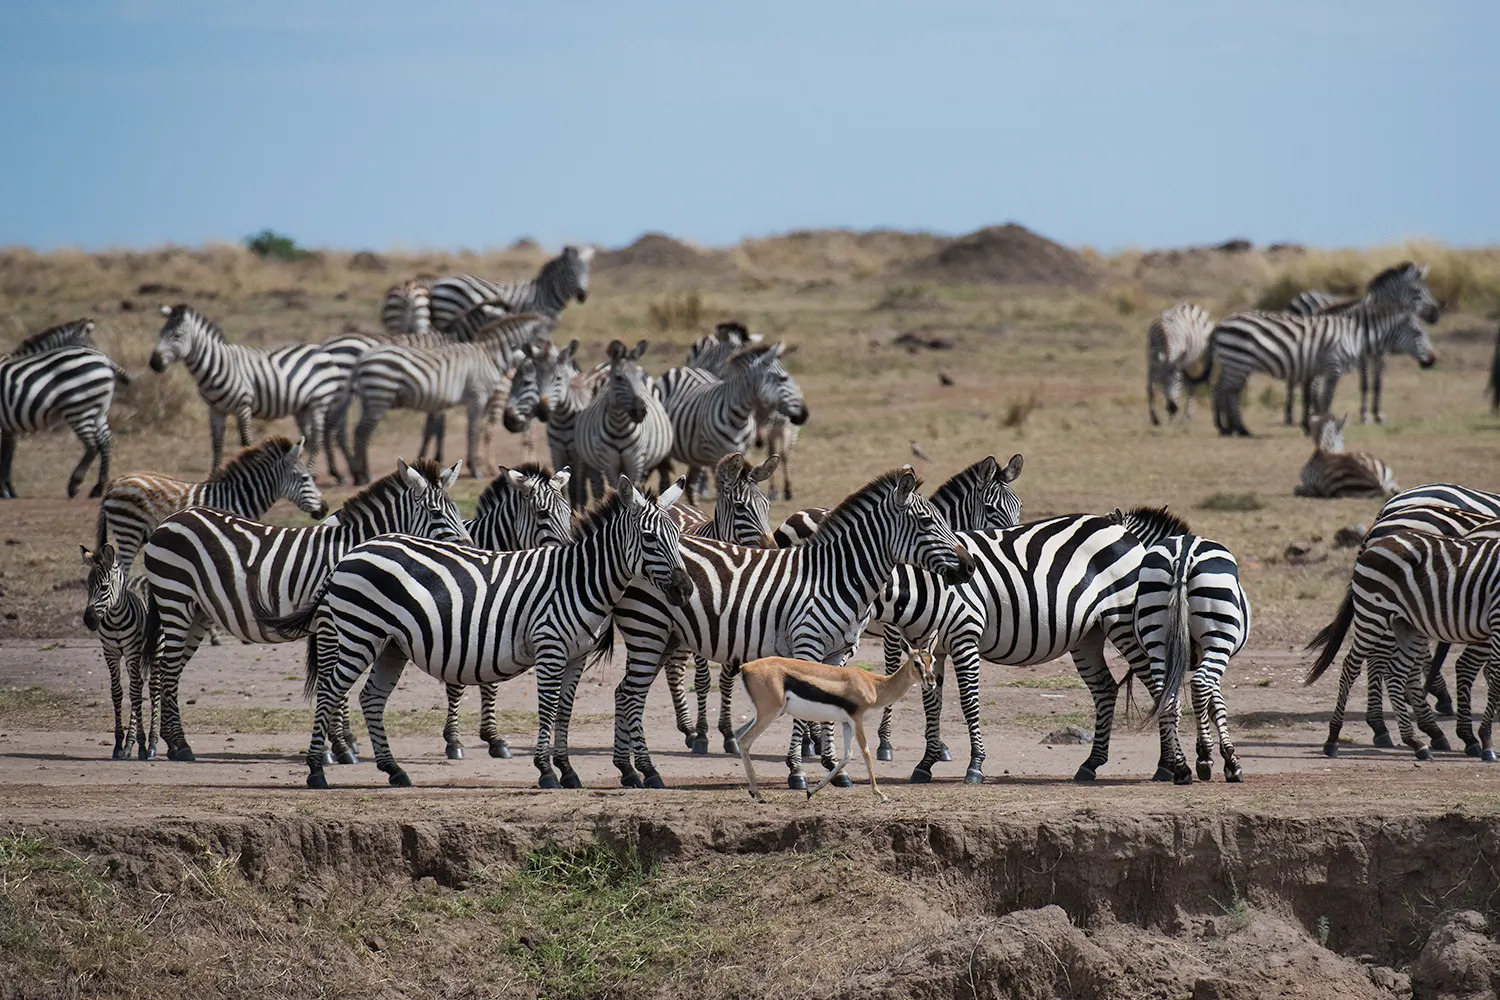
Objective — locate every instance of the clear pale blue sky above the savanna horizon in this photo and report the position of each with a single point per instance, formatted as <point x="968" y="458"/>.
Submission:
<point x="443" y="125"/>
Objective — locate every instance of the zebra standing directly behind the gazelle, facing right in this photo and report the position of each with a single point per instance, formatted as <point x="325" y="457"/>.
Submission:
<point x="811" y="602"/>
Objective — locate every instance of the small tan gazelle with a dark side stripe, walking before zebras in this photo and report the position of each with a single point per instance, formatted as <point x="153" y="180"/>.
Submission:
<point x="823" y="693"/>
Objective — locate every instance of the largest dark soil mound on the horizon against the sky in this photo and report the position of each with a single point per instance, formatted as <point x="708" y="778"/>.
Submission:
<point x="1007" y="256"/>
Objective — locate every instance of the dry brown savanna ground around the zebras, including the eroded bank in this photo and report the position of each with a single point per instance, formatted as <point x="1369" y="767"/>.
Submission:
<point x="1361" y="876"/>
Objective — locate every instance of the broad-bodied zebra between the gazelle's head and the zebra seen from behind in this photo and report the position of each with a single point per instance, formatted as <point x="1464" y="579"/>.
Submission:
<point x="1052" y="587"/>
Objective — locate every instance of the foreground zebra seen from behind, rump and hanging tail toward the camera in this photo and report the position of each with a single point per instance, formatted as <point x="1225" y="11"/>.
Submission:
<point x="1217" y="618"/>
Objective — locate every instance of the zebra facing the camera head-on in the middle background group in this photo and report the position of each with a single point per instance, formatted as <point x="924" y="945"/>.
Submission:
<point x="625" y="430"/>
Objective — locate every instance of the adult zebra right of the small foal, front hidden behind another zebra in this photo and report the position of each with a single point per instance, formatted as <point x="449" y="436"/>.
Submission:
<point x="203" y="566"/>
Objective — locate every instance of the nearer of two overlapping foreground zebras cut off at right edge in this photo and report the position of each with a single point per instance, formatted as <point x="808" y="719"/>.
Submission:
<point x="1411" y="587"/>
